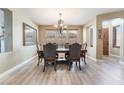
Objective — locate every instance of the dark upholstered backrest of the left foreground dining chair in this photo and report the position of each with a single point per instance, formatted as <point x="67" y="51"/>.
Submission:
<point x="49" y="51"/>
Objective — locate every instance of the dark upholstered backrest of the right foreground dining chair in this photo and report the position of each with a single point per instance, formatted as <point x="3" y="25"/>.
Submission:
<point x="75" y="51"/>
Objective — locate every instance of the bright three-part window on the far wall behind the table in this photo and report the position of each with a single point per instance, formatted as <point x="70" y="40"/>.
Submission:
<point x="70" y="36"/>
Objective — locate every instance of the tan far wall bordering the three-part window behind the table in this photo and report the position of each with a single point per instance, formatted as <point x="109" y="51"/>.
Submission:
<point x="43" y="28"/>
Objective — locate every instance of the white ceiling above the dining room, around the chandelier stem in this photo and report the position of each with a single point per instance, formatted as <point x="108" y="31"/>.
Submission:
<point x="71" y="16"/>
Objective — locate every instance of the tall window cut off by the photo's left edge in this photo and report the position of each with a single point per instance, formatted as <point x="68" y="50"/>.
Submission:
<point x="5" y="30"/>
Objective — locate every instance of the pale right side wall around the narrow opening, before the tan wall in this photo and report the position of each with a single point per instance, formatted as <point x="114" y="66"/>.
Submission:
<point x="91" y="50"/>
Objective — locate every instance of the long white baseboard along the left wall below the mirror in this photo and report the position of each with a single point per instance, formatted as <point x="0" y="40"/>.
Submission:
<point x="4" y="74"/>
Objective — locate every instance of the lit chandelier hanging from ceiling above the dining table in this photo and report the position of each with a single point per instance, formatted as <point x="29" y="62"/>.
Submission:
<point x="60" y="26"/>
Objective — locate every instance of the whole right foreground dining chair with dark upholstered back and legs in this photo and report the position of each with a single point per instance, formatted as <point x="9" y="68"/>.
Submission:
<point x="74" y="54"/>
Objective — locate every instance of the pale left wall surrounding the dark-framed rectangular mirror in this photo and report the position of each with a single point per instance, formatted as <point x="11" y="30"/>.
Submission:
<point x="20" y="53"/>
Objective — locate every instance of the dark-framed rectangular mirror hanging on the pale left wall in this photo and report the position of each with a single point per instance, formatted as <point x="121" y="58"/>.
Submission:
<point x="29" y="35"/>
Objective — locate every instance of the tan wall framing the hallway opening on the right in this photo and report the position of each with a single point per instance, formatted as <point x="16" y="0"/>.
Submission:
<point x="109" y="16"/>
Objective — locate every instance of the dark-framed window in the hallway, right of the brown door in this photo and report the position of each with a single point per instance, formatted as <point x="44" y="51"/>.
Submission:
<point x="116" y="36"/>
